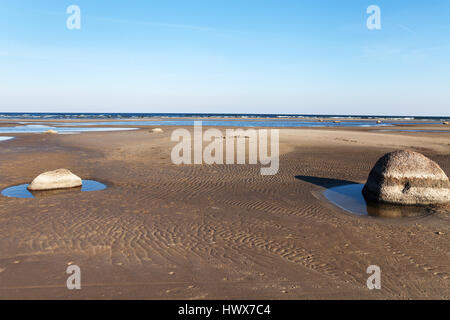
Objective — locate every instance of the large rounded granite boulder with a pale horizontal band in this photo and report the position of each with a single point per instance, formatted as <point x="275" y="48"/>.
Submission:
<point x="408" y="178"/>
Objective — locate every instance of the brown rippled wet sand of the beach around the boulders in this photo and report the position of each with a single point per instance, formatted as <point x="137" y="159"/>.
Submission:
<point x="162" y="231"/>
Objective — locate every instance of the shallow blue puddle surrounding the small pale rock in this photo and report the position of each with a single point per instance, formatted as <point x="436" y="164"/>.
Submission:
<point x="21" y="191"/>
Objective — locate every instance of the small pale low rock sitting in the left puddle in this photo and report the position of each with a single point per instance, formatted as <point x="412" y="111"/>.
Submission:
<point x="57" y="179"/>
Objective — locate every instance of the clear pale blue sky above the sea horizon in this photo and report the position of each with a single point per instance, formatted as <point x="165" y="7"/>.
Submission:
<point x="226" y="56"/>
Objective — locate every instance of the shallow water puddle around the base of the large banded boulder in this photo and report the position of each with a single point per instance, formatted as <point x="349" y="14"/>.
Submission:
<point x="350" y="198"/>
